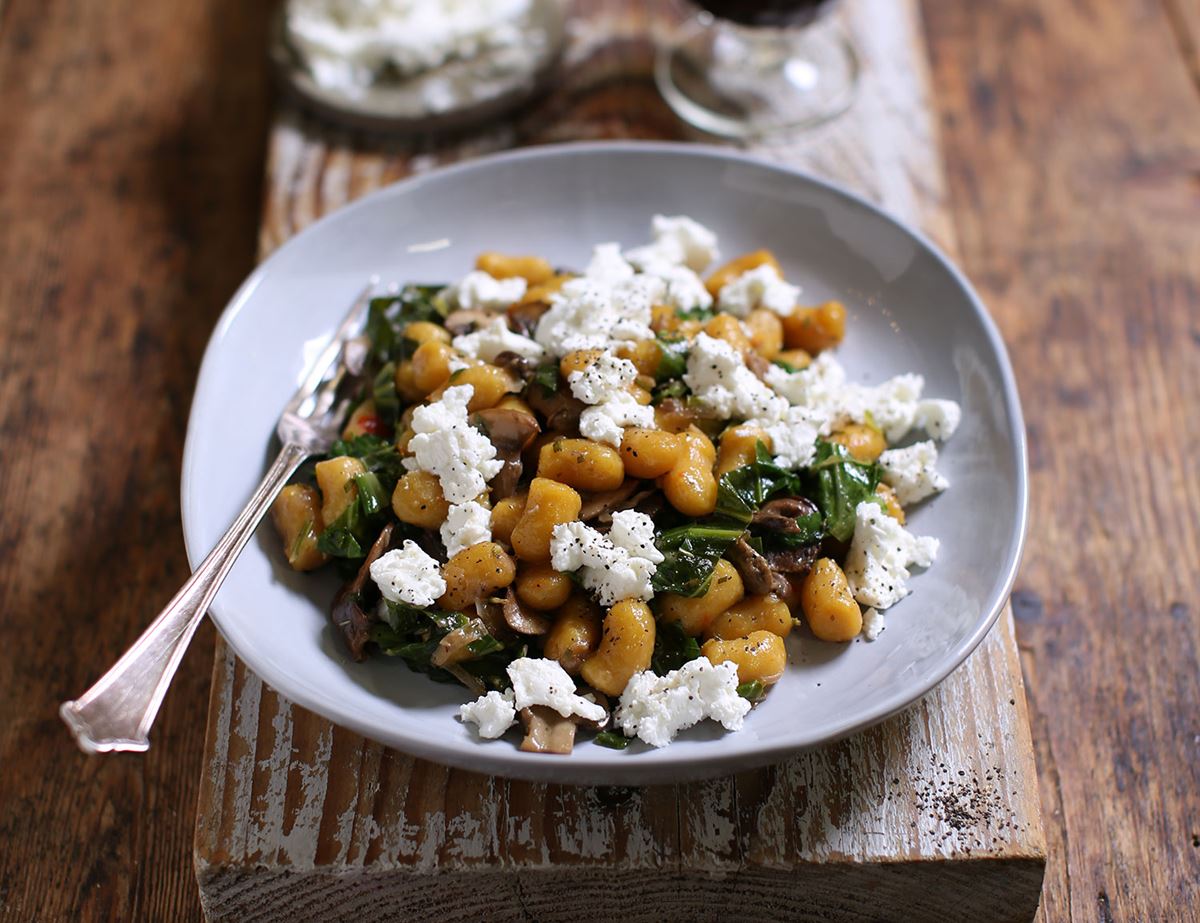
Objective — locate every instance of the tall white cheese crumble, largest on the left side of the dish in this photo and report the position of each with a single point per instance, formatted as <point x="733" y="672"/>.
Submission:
<point x="448" y="446"/>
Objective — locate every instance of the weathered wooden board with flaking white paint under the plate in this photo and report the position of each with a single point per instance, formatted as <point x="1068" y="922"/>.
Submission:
<point x="931" y="816"/>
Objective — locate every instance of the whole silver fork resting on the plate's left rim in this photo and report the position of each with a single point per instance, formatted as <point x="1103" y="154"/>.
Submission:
<point x="118" y="711"/>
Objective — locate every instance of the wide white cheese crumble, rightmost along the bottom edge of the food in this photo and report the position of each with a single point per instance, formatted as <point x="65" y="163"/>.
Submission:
<point x="656" y="709"/>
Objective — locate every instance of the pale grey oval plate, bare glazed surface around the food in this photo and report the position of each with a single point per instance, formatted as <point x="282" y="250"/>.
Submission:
<point x="910" y="310"/>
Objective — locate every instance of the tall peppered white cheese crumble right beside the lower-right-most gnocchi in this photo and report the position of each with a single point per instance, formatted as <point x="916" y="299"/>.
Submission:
<point x="880" y="556"/>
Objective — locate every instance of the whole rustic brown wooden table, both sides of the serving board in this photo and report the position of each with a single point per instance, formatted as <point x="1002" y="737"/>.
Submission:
<point x="131" y="148"/>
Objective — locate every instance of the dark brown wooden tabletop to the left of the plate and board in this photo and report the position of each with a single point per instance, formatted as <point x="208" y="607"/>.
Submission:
<point x="129" y="197"/>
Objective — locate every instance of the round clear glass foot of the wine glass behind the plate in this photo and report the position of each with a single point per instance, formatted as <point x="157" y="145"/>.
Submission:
<point x="740" y="83"/>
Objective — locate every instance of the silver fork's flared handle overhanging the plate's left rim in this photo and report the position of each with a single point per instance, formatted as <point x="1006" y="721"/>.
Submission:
<point x="118" y="711"/>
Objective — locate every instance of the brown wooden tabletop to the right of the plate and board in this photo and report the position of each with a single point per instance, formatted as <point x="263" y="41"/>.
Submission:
<point x="1073" y="143"/>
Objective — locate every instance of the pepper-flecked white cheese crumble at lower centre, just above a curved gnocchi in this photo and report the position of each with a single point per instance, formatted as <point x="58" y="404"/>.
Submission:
<point x="615" y="567"/>
